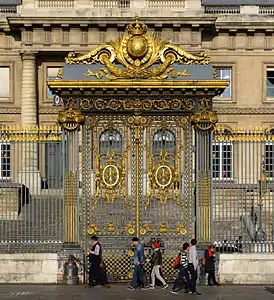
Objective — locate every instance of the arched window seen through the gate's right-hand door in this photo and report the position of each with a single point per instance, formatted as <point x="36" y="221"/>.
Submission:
<point x="164" y="140"/>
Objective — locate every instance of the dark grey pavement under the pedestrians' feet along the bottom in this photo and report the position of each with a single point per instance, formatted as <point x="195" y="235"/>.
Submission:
<point x="119" y="292"/>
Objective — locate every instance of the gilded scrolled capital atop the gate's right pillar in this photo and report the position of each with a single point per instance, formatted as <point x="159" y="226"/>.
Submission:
<point x="205" y="120"/>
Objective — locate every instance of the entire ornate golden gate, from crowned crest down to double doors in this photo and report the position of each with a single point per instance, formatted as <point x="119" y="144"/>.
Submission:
<point x="144" y="105"/>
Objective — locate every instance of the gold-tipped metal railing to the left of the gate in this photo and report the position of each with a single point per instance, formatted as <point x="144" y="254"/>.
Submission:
<point x="31" y="189"/>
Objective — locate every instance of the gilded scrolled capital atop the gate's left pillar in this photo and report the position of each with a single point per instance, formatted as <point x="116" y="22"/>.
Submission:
<point x="70" y="119"/>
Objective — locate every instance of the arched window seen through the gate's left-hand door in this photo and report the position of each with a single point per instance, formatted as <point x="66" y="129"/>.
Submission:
<point x="110" y="140"/>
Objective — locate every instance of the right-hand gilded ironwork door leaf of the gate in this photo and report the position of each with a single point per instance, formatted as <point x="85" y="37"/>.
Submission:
<point x="166" y="206"/>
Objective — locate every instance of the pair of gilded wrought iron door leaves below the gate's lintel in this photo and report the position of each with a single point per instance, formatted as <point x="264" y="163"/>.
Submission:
<point x="137" y="181"/>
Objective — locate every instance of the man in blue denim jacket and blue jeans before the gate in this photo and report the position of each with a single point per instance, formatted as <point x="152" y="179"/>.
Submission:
<point x="139" y="262"/>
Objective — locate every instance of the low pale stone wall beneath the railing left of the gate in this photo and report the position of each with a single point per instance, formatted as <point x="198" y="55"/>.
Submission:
<point x="28" y="268"/>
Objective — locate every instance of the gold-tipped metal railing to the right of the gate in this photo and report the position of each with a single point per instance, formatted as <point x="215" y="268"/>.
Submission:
<point x="242" y="204"/>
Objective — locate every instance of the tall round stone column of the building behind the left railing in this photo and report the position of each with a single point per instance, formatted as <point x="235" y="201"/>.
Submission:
<point x="29" y="174"/>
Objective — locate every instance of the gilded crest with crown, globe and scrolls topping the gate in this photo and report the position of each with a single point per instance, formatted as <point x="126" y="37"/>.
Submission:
<point x="133" y="57"/>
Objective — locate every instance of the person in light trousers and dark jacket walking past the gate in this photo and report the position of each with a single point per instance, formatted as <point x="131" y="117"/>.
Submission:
<point x="156" y="262"/>
